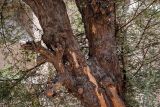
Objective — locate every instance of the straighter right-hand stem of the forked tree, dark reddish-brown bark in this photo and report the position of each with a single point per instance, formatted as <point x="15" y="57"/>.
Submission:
<point x="98" y="17"/>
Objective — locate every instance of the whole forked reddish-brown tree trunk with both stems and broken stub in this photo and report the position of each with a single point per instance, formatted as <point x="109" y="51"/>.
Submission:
<point x="97" y="81"/>
